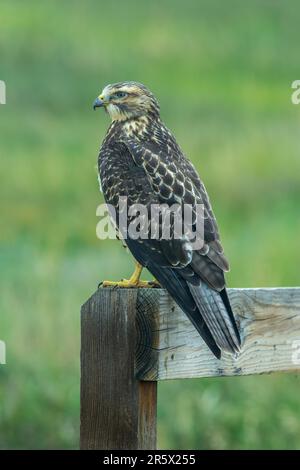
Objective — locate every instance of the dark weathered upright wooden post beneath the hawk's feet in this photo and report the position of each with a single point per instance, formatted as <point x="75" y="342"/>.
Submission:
<point x="117" y="410"/>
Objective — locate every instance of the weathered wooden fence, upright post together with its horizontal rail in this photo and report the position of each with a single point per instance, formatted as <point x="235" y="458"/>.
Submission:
<point x="129" y="333"/>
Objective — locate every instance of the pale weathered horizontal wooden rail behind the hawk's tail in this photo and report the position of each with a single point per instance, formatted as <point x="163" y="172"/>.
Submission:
<point x="269" y="321"/>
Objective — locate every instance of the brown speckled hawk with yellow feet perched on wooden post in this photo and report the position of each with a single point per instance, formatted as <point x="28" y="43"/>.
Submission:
<point x="140" y="160"/>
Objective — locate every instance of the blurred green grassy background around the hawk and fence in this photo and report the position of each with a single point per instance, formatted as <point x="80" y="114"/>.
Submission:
<point x="222" y="72"/>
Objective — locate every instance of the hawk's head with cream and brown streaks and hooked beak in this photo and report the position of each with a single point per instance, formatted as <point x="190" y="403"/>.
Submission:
<point x="127" y="100"/>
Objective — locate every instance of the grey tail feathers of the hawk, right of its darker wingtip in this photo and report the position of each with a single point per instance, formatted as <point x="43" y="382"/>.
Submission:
<point x="215" y="309"/>
